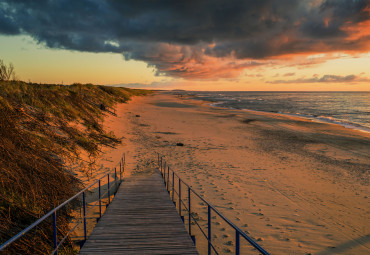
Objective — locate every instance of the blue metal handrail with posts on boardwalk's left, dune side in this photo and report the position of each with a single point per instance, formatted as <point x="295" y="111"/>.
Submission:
<point x="53" y="212"/>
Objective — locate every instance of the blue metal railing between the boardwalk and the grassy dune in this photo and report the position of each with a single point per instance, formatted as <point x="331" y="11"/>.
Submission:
<point x="105" y="198"/>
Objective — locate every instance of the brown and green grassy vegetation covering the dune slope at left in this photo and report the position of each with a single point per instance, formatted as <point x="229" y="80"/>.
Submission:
<point x="42" y="126"/>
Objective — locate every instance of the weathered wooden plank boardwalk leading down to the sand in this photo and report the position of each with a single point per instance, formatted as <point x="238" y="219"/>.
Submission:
<point x="141" y="220"/>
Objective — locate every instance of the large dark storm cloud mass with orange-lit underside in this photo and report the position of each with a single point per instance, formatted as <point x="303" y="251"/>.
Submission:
<point x="193" y="39"/>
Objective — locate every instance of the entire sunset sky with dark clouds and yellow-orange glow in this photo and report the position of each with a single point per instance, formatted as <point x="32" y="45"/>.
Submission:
<point x="245" y="45"/>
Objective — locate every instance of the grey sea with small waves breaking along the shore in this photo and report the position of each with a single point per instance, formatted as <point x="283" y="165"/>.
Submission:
<point x="350" y="109"/>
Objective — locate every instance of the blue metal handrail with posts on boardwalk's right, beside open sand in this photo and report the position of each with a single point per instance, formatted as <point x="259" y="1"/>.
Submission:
<point x="165" y="171"/>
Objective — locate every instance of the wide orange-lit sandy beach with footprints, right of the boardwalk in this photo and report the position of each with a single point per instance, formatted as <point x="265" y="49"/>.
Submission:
<point x="296" y="186"/>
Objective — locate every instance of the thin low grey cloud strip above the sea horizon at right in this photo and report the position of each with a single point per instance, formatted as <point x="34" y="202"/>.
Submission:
<point x="325" y="78"/>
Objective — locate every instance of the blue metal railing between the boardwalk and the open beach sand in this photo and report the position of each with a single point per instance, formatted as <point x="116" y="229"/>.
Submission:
<point x="185" y="205"/>
